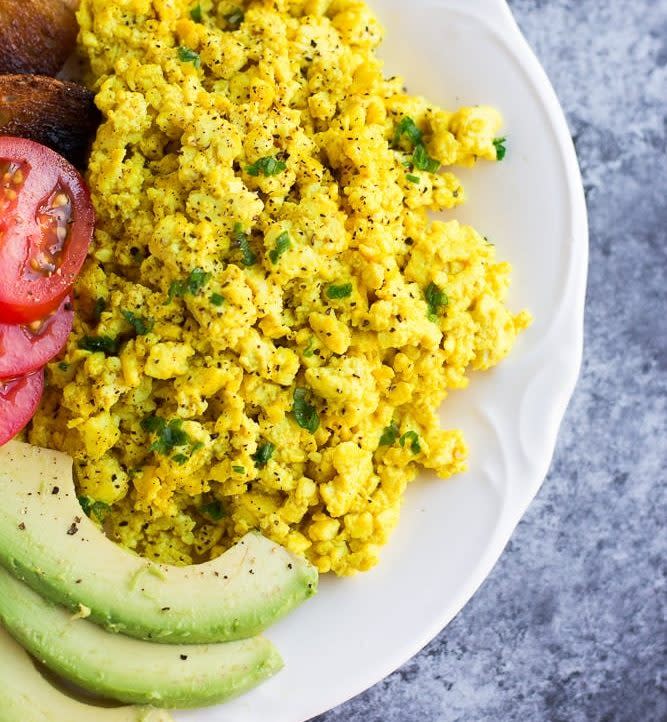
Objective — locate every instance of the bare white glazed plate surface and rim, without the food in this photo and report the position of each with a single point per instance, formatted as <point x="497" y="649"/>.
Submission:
<point x="356" y="631"/>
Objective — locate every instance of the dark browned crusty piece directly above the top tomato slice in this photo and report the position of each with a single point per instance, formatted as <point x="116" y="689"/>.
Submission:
<point x="53" y="112"/>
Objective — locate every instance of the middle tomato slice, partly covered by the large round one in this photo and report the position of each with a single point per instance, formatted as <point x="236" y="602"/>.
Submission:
<point x="24" y="349"/>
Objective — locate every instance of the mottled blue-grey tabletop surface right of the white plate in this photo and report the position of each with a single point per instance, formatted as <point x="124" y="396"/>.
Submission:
<point x="570" y="626"/>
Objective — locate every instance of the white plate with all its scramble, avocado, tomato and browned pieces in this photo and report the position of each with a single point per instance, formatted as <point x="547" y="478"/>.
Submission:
<point x="237" y="330"/>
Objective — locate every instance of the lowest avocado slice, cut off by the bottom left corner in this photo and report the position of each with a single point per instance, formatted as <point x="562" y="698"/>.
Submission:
<point x="26" y="696"/>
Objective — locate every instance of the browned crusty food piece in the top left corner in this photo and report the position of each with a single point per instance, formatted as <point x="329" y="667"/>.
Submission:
<point x="36" y="36"/>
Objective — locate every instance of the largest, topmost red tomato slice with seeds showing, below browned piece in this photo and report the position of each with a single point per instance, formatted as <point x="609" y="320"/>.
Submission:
<point x="46" y="224"/>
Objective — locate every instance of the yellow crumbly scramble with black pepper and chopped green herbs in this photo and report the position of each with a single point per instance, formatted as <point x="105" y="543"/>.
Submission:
<point x="268" y="319"/>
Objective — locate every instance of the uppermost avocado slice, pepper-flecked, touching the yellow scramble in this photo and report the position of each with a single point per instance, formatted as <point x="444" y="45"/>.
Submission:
<point x="47" y="541"/>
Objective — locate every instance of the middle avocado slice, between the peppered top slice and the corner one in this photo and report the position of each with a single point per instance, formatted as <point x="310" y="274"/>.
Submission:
<point x="126" y="669"/>
